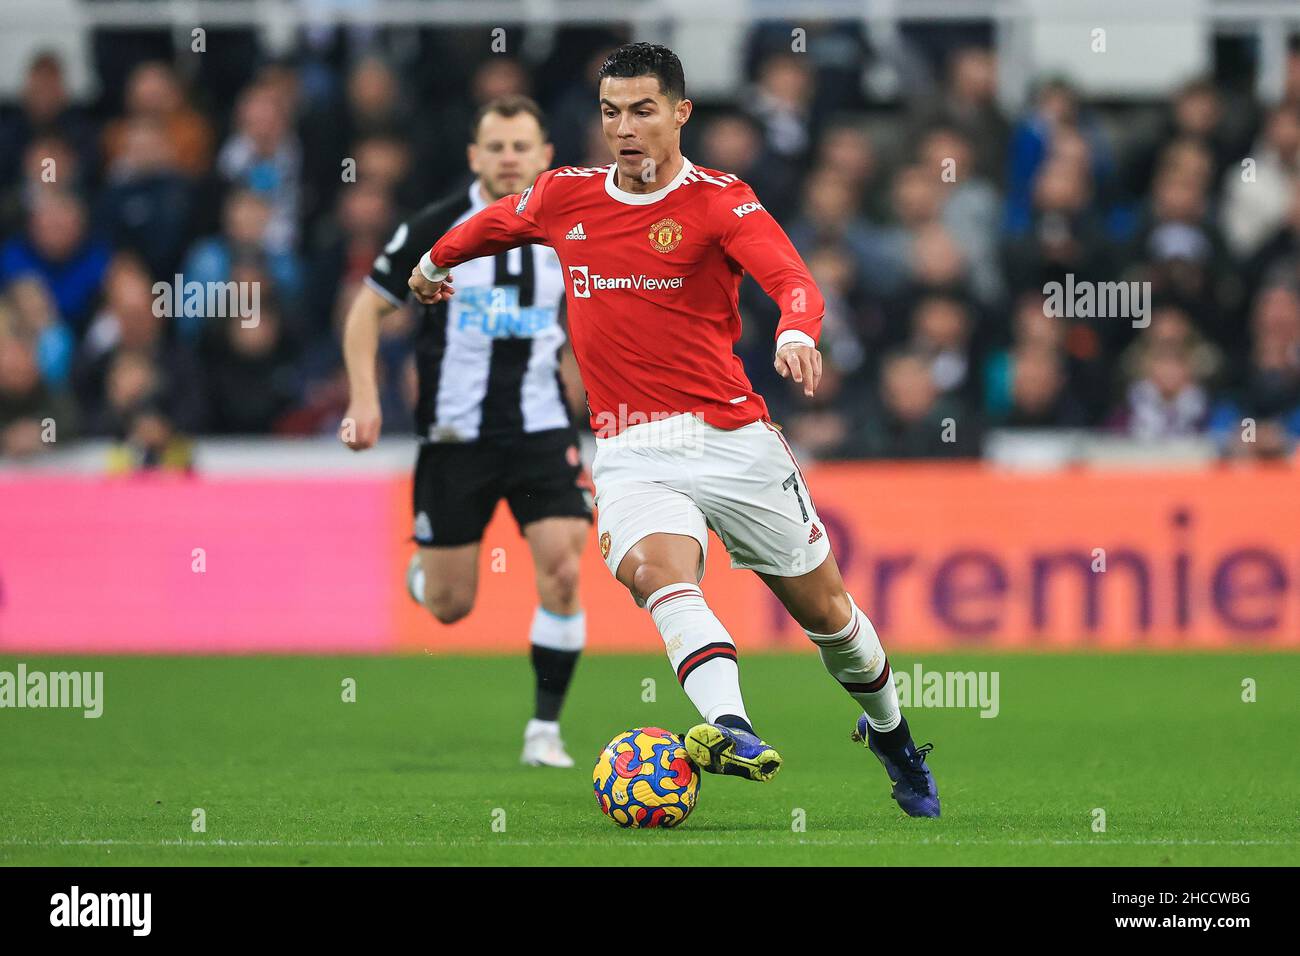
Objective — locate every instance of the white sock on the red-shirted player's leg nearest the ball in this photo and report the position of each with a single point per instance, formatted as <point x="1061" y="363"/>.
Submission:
<point x="700" y="650"/>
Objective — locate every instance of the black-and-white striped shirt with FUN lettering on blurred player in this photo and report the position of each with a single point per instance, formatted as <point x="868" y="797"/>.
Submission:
<point x="488" y="360"/>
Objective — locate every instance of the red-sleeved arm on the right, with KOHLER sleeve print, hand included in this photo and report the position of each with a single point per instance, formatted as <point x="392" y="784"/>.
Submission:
<point x="757" y="243"/>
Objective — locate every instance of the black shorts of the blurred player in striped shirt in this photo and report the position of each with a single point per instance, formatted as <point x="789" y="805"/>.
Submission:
<point x="458" y="485"/>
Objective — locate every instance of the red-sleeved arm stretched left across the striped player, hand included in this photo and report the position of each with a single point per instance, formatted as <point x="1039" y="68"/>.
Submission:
<point x="509" y="223"/>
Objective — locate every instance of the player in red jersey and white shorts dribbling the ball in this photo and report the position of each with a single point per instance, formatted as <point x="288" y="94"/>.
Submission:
<point x="655" y="249"/>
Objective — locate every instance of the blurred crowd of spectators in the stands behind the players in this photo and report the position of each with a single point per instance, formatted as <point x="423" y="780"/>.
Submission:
<point x="933" y="222"/>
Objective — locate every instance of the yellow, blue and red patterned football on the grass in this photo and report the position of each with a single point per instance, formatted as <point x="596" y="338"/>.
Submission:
<point x="644" y="778"/>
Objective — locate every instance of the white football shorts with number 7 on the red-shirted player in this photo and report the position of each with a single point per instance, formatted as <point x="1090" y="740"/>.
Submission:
<point x="683" y="477"/>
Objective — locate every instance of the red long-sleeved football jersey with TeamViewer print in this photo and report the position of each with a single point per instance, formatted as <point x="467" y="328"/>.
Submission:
<point x="652" y="285"/>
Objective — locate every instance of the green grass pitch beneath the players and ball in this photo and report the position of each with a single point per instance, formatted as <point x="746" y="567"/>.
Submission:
<point x="423" y="764"/>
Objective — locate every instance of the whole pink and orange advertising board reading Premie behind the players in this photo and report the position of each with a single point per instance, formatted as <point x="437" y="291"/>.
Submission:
<point x="942" y="557"/>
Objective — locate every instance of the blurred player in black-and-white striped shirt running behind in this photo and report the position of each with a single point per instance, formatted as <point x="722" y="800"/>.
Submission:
<point x="491" y="417"/>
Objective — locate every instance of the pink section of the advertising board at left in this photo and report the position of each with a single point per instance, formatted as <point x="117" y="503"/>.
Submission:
<point x="196" y="565"/>
